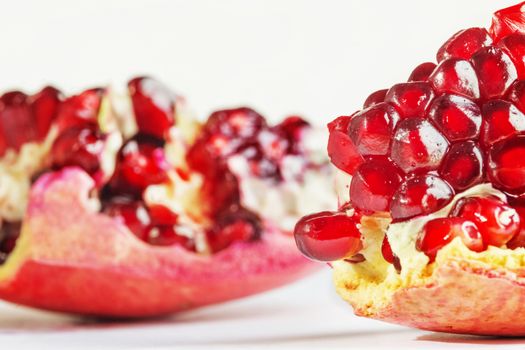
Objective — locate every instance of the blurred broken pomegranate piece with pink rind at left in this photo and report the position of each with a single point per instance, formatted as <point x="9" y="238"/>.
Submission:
<point x="156" y="221"/>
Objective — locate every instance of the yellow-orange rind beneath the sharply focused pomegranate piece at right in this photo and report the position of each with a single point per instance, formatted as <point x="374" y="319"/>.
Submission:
<point x="461" y="296"/>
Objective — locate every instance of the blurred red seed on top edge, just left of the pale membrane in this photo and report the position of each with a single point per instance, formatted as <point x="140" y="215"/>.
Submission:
<point x="80" y="110"/>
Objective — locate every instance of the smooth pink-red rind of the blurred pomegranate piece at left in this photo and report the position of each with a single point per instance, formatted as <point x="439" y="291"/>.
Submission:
<point x="71" y="258"/>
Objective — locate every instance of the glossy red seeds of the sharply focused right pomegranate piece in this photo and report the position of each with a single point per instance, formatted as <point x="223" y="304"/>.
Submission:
<point x="453" y="125"/>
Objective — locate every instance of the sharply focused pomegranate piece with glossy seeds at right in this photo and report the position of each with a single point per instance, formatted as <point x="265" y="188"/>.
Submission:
<point x="436" y="168"/>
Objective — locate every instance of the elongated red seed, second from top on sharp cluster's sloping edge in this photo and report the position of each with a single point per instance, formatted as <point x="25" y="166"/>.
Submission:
<point x="464" y="44"/>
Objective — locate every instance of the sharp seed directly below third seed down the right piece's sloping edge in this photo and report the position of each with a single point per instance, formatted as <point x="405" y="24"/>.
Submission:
<point x="411" y="99"/>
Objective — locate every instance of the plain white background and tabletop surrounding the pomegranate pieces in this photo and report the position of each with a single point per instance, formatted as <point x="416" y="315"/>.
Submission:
<point x="317" y="58"/>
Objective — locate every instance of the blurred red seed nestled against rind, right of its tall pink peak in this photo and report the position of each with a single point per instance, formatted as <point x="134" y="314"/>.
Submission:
<point x="131" y="213"/>
